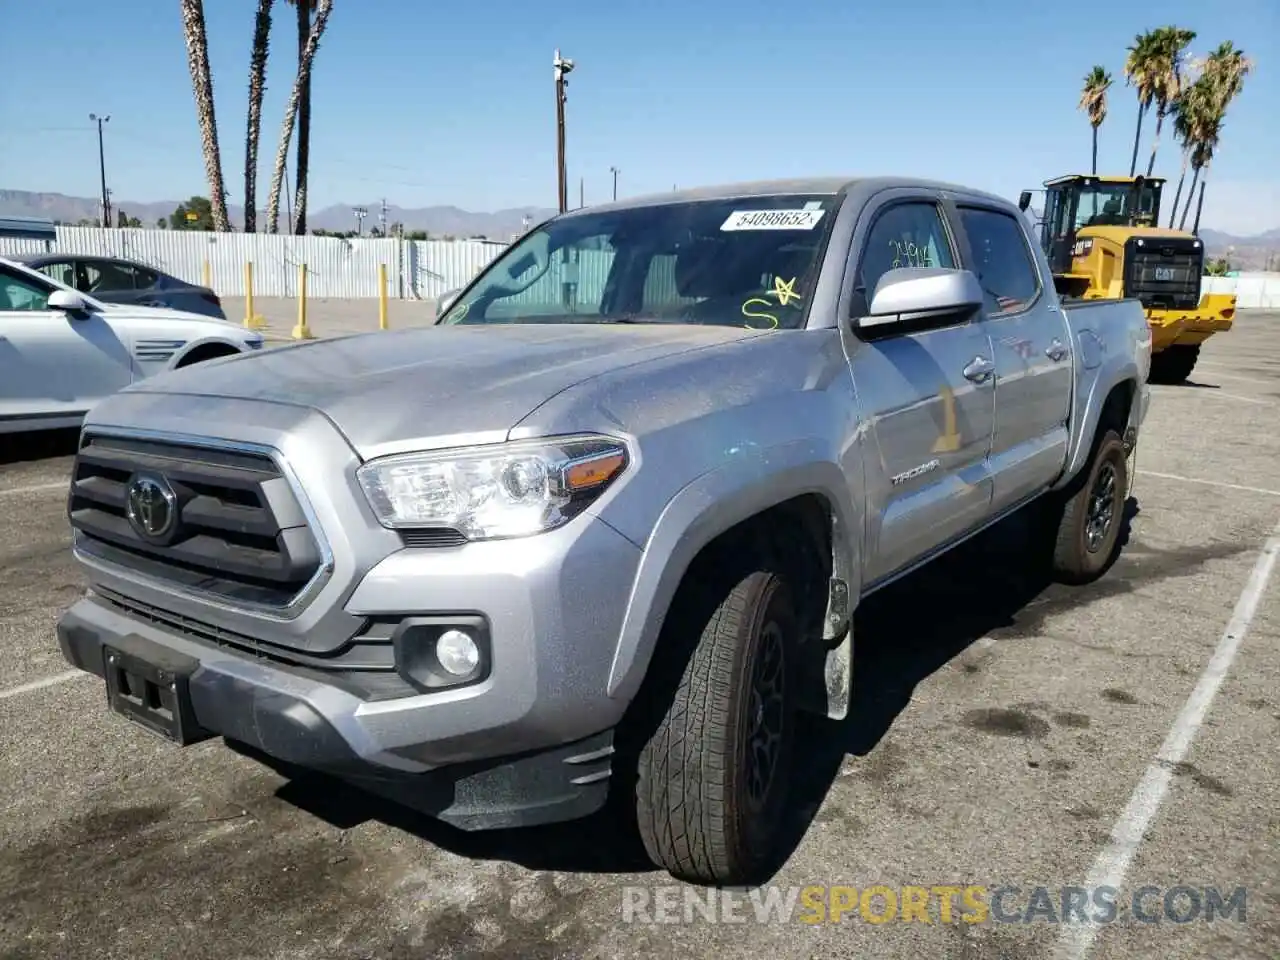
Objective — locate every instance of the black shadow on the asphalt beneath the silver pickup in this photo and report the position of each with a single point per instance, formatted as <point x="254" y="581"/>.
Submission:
<point x="906" y="633"/>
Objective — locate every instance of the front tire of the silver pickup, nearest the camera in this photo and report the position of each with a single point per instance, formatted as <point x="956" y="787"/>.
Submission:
<point x="712" y="780"/>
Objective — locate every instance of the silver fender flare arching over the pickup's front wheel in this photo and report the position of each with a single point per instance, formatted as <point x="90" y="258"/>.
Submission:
<point x="702" y="511"/>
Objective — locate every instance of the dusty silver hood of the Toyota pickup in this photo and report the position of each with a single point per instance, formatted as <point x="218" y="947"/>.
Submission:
<point x="440" y="386"/>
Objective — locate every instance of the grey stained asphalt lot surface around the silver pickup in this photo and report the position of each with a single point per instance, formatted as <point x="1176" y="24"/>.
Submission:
<point x="1004" y="734"/>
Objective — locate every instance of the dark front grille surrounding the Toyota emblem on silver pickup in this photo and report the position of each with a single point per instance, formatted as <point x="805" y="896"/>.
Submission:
<point x="240" y="533"/>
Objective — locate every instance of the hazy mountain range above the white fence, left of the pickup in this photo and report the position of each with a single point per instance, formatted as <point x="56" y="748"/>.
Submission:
<point x="437" y="221"/>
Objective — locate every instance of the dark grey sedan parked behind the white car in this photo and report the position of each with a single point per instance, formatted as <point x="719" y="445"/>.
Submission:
<point x="118" y="281"/>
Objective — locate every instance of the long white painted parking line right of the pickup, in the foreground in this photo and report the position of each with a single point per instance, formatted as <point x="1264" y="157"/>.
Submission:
<point x="1128" y="833"/>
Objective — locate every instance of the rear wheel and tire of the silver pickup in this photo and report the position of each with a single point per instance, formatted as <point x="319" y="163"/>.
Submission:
<point x="1089" y="529"/>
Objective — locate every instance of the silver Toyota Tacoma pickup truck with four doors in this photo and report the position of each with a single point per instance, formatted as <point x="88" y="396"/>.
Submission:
<point x="602" y="529"/>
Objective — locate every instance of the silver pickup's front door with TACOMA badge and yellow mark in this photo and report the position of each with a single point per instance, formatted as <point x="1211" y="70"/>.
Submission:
<point x="931" y="423"/>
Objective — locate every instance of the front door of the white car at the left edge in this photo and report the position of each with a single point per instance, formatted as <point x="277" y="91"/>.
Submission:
<point x="53" y="364"/>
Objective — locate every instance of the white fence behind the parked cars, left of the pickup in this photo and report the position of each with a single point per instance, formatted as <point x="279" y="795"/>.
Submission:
<point x="336" y="267"/>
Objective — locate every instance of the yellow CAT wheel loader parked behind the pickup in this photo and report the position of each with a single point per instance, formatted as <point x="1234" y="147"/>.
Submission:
<point x="1103" y="243"/>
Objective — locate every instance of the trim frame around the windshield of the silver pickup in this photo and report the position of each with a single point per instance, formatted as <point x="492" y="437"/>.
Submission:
<point x="815" y="269"/>
